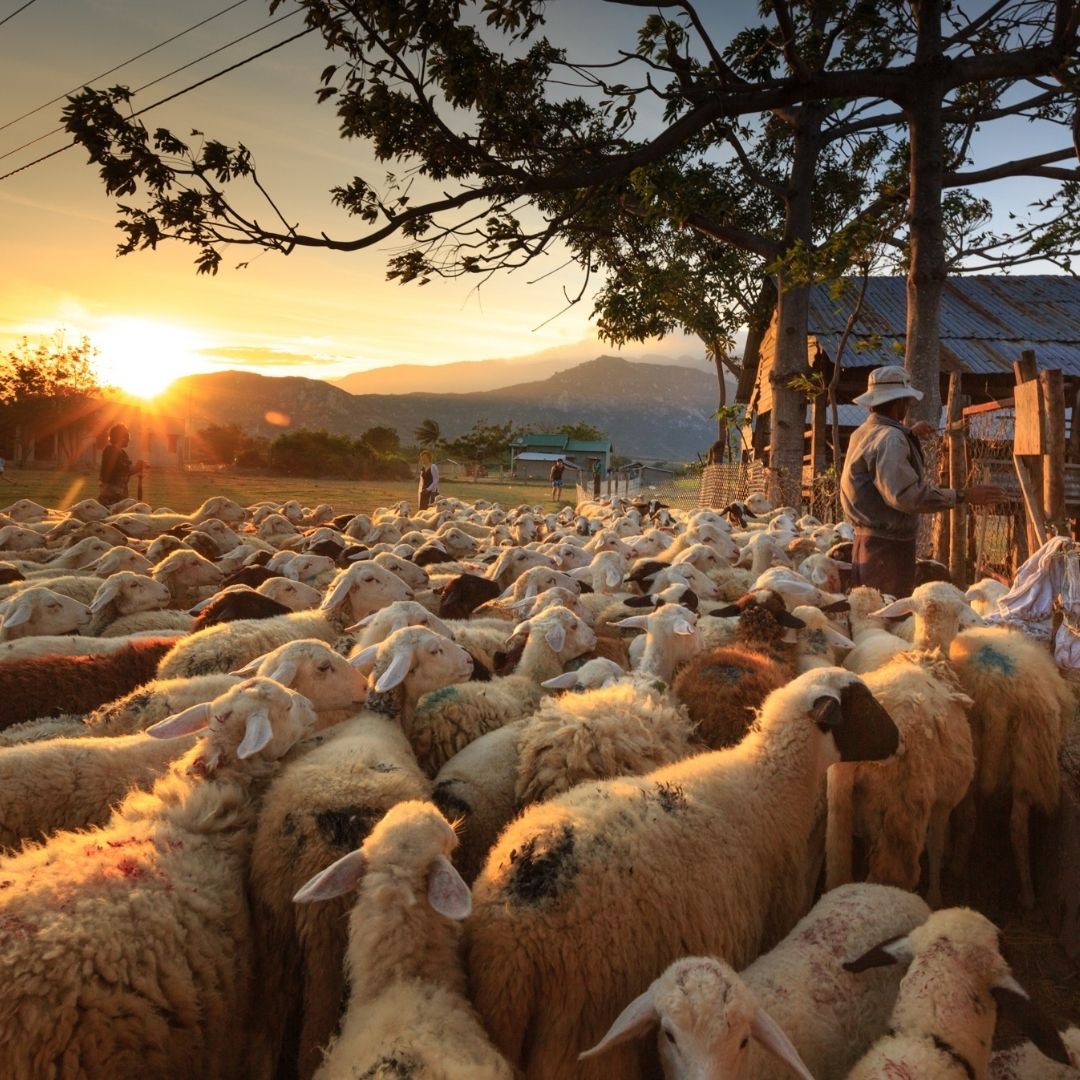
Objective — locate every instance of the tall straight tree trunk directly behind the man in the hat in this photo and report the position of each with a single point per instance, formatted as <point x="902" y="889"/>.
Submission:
<point x="926" y="277"/>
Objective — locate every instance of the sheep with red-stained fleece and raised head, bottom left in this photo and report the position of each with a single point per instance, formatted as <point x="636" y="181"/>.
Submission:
<point x="156" y="899"/>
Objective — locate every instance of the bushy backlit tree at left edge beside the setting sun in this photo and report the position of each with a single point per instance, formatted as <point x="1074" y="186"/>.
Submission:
<point x="46" y="390"/>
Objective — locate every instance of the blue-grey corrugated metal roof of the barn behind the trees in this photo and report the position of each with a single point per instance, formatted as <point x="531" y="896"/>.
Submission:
<point x="987" y="322"/>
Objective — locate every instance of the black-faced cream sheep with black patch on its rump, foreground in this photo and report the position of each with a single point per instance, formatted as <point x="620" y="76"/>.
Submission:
<point x="744" y="819"/>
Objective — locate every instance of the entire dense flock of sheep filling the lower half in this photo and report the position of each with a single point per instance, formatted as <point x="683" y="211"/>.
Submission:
<point x="470" y="793"/>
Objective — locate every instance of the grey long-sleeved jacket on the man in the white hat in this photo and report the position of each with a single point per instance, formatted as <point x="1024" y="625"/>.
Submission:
<point x="884" y="483"/>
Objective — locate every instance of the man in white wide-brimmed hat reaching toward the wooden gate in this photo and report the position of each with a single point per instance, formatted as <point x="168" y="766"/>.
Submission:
<point x="884" y="485"/>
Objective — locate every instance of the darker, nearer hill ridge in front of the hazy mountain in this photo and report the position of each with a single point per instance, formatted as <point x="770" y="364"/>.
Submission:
<point x="651" y="411"/>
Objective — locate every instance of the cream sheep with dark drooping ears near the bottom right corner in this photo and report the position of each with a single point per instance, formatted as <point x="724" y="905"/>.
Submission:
<point x="943" y="1022"/>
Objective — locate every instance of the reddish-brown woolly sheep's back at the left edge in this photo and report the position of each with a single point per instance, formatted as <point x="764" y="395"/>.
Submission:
<point x="49" y="686"/>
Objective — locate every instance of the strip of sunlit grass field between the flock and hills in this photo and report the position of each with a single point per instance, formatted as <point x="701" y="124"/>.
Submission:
<point x="185" y="491"/>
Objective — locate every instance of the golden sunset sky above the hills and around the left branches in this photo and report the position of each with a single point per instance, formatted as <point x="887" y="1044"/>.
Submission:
<point x="320" y="315"/>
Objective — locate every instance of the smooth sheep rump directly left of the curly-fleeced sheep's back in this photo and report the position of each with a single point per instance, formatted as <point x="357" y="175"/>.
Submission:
<point x="477" y="789"/>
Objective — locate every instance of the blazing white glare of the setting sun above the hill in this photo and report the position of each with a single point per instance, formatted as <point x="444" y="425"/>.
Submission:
<point x="143" y="358"/>
